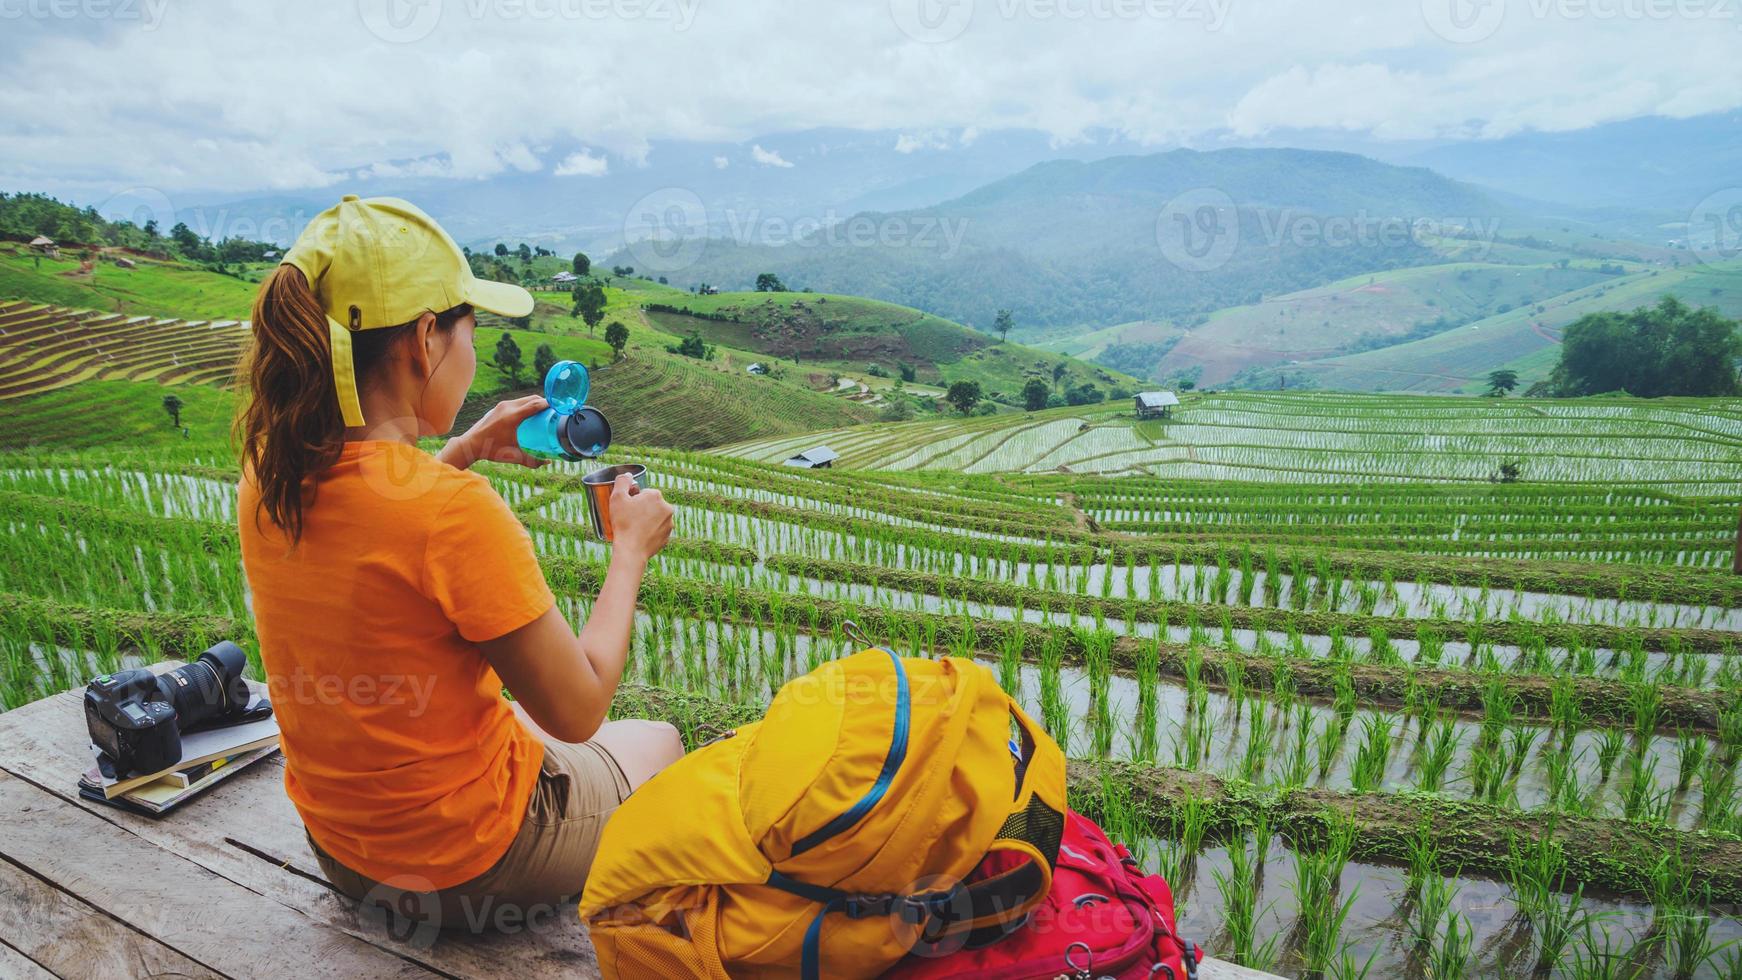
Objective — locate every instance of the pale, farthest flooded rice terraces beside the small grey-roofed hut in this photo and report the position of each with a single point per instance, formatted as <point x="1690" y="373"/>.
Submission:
<point x="1680" y="446"/>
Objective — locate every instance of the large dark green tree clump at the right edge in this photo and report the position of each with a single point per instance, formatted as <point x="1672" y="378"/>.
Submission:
<point x="1651" y="352"/>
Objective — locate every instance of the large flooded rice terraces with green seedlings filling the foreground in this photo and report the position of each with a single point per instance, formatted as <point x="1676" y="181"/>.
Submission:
<point x="1365" y="727"/>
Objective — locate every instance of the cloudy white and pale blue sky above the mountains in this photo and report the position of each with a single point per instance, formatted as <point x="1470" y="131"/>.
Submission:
<point x="273" y="97"/>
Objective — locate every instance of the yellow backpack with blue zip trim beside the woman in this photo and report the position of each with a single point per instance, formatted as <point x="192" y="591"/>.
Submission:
<point x="835" y="835"/>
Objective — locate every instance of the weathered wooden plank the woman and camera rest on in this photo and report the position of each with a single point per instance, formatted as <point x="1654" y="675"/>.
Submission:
<point x="248" y="833"/>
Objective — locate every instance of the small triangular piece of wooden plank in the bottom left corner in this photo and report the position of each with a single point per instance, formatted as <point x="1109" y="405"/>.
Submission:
<point x="62" y="936"/>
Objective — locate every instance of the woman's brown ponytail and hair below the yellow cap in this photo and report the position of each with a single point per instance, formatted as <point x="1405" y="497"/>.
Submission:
<point x="288" y="427"/>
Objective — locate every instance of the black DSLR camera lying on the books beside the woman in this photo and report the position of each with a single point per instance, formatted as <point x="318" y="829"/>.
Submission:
<point x="137" y="718"/>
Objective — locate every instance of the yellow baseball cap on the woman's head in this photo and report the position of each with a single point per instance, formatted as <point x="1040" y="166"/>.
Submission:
<point x="382" y="264"/>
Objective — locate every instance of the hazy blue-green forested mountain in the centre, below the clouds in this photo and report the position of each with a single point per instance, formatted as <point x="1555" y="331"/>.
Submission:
<point x="1074" y="245"/>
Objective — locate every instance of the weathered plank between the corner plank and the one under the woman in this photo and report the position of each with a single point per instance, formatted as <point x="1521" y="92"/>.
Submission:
<point x="201" y="915"/>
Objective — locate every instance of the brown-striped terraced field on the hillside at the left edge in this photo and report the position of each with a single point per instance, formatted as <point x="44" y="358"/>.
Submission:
<point x="51" y="347"/>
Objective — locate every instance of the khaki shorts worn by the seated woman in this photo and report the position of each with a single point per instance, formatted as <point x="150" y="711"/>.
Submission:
<point x="579" y="788"/>
